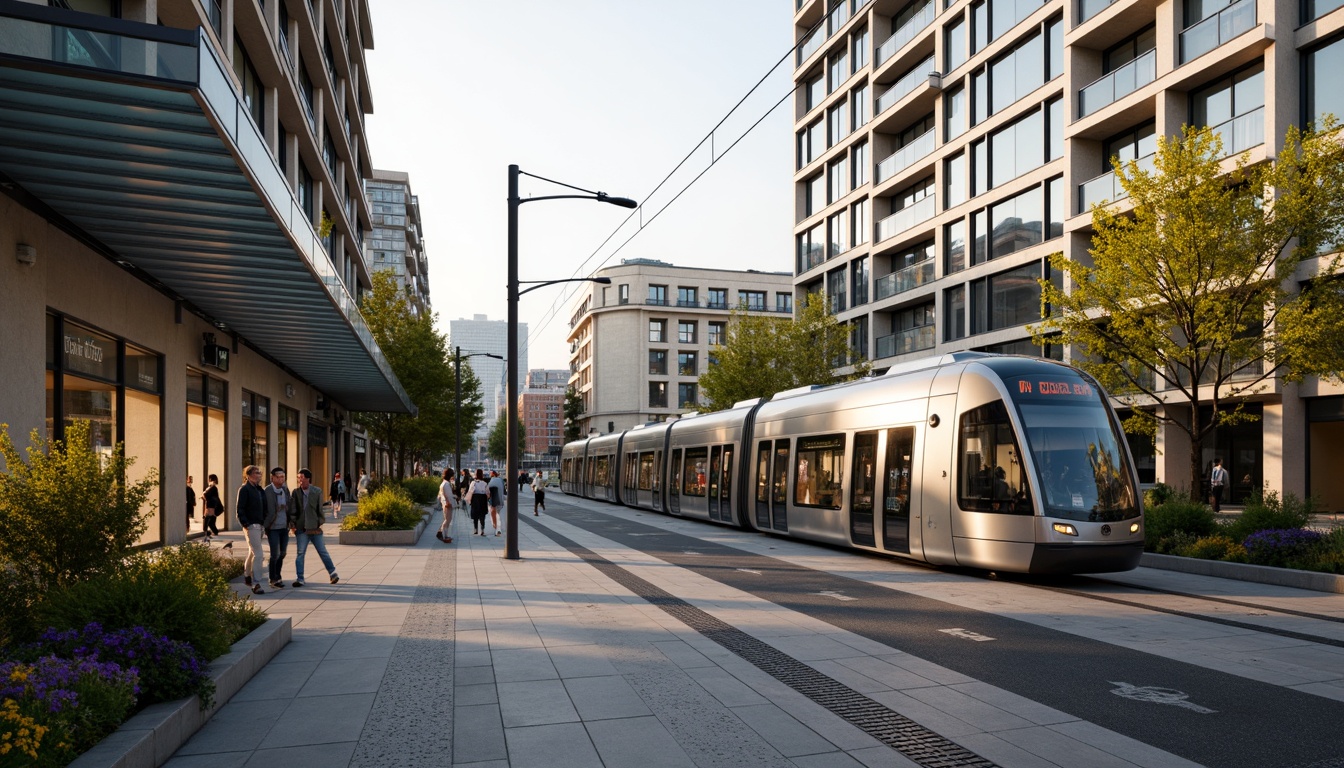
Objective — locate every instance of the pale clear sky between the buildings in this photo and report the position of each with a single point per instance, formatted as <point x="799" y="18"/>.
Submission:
<point x="603" y="95"/>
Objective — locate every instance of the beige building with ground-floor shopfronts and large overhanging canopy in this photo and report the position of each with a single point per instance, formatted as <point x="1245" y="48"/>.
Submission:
<point x="182" y="231"/>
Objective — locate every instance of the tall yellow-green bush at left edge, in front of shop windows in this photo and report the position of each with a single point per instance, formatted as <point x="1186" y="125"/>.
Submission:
<point x="67" y="516"/>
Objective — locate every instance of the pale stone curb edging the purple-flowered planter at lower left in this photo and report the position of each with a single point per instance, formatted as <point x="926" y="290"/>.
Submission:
<point x="157" y="732"/>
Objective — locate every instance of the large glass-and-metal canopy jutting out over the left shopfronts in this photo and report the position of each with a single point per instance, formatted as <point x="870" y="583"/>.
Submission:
<point x="136" y="135"/>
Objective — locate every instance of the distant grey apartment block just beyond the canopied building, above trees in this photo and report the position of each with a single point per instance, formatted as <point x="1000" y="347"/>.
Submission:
<point x="397" y="243"/>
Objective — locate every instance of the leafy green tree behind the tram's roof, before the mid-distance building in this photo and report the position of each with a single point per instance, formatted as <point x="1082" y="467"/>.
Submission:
<point x="765" y="356"/>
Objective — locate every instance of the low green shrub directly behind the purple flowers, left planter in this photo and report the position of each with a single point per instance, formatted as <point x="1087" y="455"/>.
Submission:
<point x="181" y="592"/>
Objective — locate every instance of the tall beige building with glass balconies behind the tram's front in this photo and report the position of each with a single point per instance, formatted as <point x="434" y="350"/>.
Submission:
<point x="944" y="150"/>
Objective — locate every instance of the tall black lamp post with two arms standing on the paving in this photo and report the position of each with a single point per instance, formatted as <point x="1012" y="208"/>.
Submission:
<point x="511" y="428"/>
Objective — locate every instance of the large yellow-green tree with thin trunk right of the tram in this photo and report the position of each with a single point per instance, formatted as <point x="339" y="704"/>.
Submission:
<point x="1193" y="299"/>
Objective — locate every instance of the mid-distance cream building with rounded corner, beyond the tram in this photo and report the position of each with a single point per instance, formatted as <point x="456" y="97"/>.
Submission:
<point x="639" y="345"/>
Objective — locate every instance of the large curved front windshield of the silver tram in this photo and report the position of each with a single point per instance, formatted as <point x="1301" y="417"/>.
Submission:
<point x="1084" y="470"/>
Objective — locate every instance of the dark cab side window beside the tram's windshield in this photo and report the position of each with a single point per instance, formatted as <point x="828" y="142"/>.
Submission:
<point x="991" y="474"/>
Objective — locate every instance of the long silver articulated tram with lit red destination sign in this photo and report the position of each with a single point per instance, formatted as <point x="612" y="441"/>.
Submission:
<point x="993" y="462"/>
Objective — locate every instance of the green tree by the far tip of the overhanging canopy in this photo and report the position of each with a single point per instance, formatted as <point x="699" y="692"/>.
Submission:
<point x="419" y="356"/>
